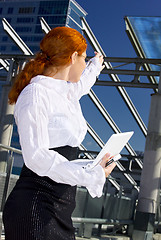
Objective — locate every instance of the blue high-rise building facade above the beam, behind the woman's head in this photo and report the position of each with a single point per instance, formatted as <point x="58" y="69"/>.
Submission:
<point x="24" y="17"/>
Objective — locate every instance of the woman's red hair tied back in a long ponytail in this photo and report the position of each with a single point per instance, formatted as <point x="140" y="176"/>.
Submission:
<point x="56" y="49"/>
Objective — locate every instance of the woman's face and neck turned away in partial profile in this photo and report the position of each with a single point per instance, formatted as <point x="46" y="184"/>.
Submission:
<point x="77" y="67"/>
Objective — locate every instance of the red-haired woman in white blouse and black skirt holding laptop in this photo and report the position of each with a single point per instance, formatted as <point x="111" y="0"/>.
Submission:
<point x="51" y="127"/>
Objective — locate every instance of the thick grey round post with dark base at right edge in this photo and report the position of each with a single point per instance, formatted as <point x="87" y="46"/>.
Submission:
<point x="150" y="178"/>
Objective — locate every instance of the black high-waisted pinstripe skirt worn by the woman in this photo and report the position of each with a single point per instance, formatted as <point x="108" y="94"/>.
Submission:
<point x="39" y="208"/>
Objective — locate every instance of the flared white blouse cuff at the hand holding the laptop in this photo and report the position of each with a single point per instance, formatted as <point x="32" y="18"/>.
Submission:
<point x="95" y="188"/>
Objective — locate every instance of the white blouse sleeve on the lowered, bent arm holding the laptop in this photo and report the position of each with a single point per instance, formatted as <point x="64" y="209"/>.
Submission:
<point x="32" y="124"/>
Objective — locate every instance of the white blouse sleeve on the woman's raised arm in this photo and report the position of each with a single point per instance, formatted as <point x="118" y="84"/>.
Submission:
<point x="88" y="77"/>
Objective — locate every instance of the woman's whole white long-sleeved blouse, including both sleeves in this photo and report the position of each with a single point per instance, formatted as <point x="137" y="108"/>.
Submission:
<point x="48" y="115"/>
